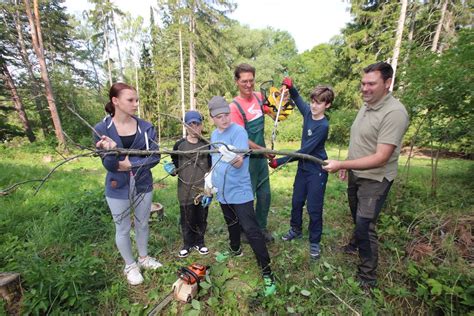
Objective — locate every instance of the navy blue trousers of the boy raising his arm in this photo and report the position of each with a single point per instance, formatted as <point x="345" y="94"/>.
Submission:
<point x="309" y="187"/>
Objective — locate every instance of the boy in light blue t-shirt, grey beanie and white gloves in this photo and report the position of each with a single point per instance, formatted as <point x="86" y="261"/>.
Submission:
<point x="231" y="178"/>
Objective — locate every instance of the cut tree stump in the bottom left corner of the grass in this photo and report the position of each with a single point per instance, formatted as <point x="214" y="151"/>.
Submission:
<point x="10" y="291"/>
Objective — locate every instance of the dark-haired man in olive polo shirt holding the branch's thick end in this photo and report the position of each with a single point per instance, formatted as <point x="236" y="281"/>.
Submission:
<point x="374" y="148"/>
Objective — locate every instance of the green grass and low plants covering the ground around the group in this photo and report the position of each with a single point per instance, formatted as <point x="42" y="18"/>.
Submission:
<point x="61" y="240"/>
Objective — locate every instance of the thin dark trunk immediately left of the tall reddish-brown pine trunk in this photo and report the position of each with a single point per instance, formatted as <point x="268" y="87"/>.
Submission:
<point x="35" y="86"/>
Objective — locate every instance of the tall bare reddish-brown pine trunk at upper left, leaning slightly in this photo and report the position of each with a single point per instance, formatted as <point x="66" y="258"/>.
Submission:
<point x="37" y="41"/>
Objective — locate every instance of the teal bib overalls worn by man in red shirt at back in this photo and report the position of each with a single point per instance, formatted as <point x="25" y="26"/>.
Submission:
<point x="258" y="167"/>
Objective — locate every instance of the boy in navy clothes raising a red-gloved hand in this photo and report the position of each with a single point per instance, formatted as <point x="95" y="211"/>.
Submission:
<point x="310" y="179"/>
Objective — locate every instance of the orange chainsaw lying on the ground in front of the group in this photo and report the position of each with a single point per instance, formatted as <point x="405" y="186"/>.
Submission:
<point x="186" y="286"/>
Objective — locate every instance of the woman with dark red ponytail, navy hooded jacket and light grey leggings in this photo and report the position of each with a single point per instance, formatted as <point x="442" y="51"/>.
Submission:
<point x="129" y="182"/>
